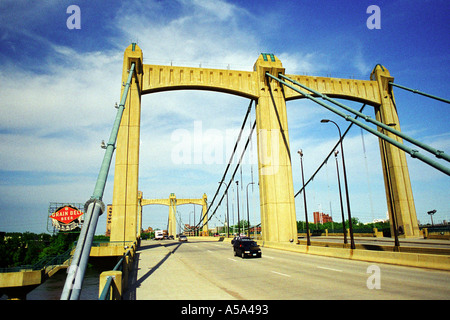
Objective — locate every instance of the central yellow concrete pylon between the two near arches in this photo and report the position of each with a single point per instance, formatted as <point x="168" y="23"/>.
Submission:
<point x="278" y="219"/>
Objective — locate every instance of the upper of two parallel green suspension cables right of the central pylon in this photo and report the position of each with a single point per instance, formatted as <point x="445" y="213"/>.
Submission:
<point x="438" y="153"/>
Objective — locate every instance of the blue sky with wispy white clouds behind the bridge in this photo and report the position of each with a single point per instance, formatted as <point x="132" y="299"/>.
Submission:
<point x="59" y="86"/>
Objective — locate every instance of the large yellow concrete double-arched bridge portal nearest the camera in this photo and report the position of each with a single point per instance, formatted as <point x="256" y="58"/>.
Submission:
<point x="278" y="217"/>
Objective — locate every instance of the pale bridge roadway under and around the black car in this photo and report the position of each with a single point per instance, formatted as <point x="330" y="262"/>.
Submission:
<point x="206" y="270"/>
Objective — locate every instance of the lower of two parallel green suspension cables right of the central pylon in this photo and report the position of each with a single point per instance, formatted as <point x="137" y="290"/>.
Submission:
<point x="412" y="152"/>
